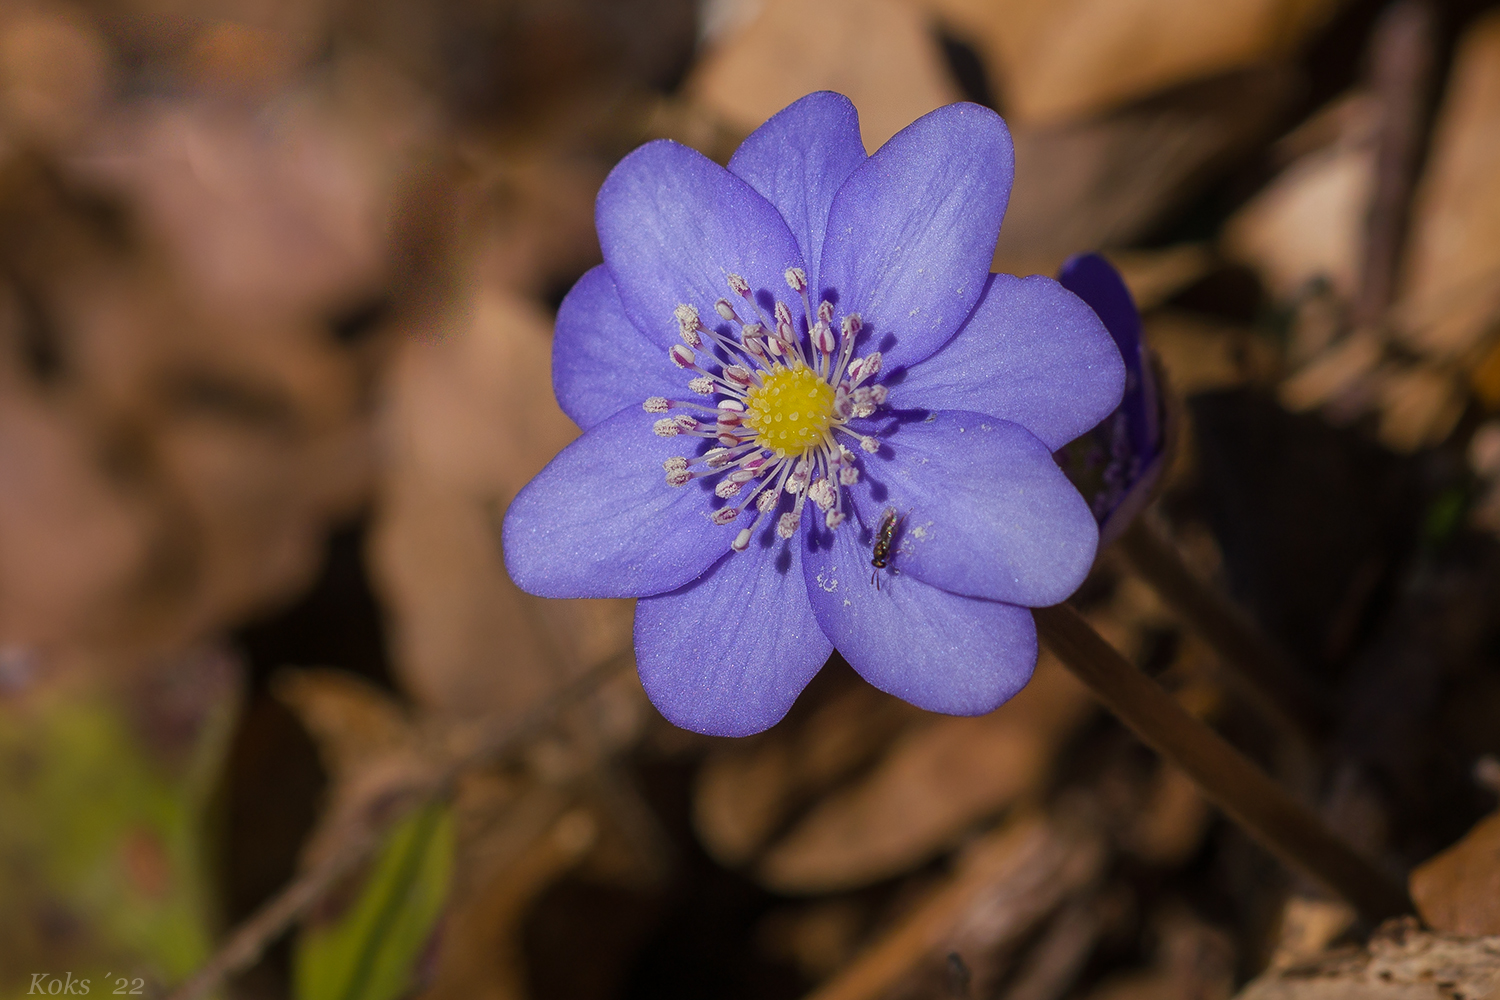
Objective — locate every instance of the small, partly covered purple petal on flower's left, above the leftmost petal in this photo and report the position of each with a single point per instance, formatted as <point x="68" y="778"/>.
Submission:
<point x="601" y="362"/>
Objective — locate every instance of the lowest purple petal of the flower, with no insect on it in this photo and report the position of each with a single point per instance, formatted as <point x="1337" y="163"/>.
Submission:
<point x="730" y="653"/>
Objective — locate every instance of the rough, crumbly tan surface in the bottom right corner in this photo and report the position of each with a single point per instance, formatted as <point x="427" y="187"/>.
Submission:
<point x="1400" y="963"/>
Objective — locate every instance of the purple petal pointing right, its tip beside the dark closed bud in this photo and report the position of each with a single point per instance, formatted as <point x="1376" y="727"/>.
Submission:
<point x="1033" y="353"/>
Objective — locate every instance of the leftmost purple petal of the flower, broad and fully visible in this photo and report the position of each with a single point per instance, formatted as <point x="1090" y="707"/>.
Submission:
<point x="601" y="519"/>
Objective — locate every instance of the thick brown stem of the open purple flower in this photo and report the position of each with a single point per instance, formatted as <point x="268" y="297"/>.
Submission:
<point x="1226" y="777"/>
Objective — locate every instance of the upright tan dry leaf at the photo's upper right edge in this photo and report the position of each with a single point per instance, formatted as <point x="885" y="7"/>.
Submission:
<point x="1454" y="260"/>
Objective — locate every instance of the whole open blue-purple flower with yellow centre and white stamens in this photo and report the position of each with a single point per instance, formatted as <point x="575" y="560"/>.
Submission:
<point x="790" y="364"/>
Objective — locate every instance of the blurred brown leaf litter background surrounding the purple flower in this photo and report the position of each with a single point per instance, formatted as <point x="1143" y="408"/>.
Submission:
<point x="277" y="289"/>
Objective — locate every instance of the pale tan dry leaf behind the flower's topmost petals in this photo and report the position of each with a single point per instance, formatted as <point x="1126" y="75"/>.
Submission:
<point x="880" y="53"/>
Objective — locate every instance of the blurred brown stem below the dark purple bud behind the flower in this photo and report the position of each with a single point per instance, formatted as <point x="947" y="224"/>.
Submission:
<point x="1262" y="669"/>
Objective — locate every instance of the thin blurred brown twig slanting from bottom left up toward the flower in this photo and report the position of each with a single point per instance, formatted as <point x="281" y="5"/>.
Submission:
<point x="361" y="839"/>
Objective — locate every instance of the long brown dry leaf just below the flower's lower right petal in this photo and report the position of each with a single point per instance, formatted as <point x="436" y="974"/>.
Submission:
<point x="937" y="782"/>
